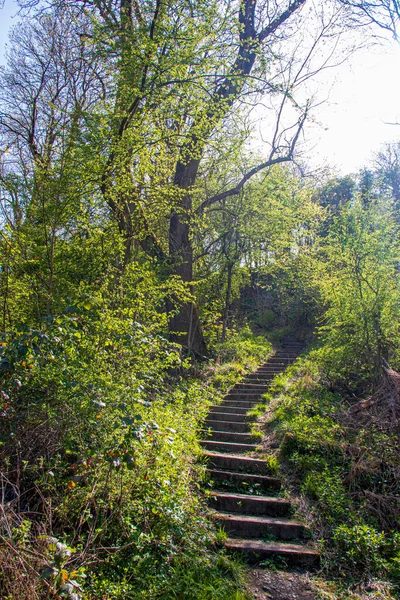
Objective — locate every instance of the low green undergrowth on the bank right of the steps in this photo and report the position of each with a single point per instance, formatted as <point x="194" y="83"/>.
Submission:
<point x="340" y="454"/>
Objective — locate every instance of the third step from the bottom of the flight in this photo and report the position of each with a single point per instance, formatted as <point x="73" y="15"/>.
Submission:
<point x="228" y="502"/>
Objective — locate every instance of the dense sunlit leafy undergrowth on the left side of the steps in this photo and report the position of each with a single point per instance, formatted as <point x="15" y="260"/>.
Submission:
<point x="100" y="460"/>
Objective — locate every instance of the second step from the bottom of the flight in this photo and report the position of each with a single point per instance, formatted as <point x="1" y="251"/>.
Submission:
<point x="249" y="526"/>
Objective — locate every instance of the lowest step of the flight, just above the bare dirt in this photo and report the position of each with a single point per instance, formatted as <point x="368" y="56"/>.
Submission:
<point x="294" y="555"/>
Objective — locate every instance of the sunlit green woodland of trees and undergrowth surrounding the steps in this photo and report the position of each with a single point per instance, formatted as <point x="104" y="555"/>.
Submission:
<point x="150" y="257"/>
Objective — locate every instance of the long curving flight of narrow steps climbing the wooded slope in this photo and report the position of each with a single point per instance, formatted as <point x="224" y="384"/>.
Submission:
<point x="245" y="498"/>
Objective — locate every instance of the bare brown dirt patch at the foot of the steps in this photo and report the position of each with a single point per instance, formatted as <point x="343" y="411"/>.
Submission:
<point x="280" y="585"/>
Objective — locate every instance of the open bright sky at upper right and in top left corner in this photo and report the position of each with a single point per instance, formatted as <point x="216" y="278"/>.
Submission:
<point x="363" y="96"/>
